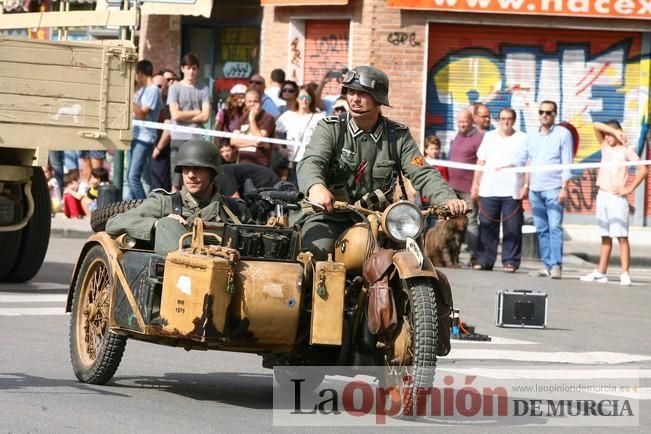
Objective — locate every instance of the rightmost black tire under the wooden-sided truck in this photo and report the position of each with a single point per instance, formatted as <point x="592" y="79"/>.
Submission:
<point x="35" y="237"/>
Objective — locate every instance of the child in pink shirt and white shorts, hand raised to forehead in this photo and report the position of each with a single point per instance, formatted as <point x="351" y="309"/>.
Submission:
<point x="612" y="202"/>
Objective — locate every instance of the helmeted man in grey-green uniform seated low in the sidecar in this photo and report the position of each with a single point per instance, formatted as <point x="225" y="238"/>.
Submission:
<point x="163" y="218"/>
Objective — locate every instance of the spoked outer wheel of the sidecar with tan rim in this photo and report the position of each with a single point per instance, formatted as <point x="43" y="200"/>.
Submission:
<point x="95" y="351"/>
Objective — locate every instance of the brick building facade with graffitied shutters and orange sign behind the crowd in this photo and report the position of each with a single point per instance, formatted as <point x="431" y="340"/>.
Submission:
<point x="590" y="57"/>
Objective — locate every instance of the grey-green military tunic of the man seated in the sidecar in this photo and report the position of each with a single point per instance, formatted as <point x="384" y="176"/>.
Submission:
<point x="149" y="221"/>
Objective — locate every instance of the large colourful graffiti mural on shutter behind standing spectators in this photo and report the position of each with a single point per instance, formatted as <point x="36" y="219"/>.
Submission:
<point x="593" y="76"/>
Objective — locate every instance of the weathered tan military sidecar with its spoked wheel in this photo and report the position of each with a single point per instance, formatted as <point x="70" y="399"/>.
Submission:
<point x="243" y="295"/>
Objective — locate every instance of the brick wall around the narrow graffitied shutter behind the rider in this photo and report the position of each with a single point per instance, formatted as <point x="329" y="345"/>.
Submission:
<point x="371" y="25"/>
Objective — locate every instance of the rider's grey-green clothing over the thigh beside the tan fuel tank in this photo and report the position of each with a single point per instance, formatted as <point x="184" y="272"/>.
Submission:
<point x="320" y="231"/>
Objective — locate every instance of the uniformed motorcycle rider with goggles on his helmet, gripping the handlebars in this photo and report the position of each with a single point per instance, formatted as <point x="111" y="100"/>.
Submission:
<point x="352" y="156"/>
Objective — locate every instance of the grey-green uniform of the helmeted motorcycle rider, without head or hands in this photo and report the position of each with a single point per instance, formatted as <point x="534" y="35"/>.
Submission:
<point x="365" y="165"/>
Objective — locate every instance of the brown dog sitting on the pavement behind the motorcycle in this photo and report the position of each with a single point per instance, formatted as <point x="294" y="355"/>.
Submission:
<point x="443" y="241"/>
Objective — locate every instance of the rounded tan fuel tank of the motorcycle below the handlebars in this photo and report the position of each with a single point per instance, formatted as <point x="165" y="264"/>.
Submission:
<point x="354" y="246"/>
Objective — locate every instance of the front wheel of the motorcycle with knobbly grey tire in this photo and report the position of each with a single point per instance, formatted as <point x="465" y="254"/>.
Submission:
<point x="412" y="364"/>
